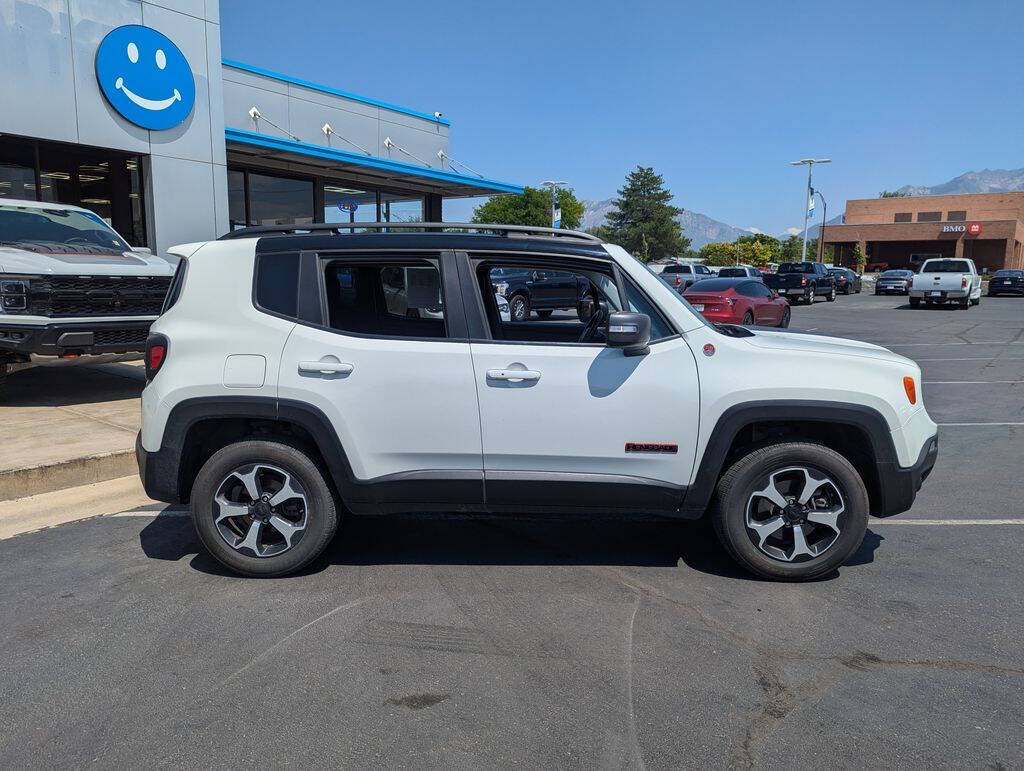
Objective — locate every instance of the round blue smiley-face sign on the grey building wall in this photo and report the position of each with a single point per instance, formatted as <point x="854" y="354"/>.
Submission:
<point x="145" y="77"/>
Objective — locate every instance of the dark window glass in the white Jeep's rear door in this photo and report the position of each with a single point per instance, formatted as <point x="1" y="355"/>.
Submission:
<point x="386" y="299"/>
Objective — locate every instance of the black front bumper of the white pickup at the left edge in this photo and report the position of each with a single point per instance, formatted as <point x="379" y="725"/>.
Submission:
<point x="69" y="338"/>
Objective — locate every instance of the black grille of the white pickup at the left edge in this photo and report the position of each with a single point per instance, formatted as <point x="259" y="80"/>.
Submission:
<point x="67" y="296"/>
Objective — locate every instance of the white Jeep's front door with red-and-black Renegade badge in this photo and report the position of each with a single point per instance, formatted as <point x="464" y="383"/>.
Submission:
<point x="582" y="425"/>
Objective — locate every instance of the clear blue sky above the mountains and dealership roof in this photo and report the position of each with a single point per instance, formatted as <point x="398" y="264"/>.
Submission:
<point x="717" y="97"/>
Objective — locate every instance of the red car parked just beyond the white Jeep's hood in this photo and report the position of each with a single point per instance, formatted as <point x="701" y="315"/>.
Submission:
<point x="744" y="302"/>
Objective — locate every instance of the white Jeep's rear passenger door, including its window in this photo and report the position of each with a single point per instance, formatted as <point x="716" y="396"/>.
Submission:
<point x="391" y="369"/>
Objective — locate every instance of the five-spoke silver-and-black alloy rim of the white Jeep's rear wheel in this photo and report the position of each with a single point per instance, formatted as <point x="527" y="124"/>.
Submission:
<point x="262" y="510"/>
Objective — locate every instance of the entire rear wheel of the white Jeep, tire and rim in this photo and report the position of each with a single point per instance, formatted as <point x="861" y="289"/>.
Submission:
<point x="264" y="508"/>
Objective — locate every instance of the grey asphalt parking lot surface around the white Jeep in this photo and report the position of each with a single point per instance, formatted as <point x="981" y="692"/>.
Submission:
<point x="492" y="644"/>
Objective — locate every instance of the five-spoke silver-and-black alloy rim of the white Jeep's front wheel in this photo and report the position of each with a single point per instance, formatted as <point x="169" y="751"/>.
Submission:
<point x="795" y="515"/>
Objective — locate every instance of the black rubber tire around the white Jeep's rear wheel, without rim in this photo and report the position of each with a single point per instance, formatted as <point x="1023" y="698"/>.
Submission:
<point x="322" y="516"/>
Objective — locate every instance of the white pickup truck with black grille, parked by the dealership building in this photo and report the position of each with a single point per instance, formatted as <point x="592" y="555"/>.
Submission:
<point x="71" y="289"/>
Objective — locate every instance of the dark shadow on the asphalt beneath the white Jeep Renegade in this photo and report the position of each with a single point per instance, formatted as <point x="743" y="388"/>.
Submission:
<point x="487" y="541"/>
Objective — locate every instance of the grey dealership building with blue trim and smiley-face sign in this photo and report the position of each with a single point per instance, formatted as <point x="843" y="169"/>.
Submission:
<point x="127" y="108"/>
